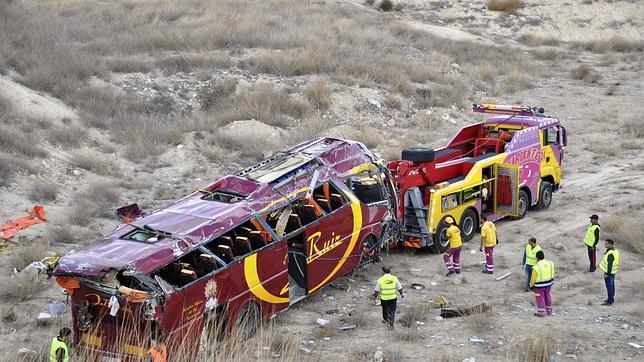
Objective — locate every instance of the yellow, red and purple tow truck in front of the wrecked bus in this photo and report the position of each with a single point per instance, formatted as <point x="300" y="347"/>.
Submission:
<point x="499" y="167"/>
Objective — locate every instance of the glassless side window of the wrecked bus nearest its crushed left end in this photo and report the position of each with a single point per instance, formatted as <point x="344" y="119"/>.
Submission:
<point x="188" y="268"/>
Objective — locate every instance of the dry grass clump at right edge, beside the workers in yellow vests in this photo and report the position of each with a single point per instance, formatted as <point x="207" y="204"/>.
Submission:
<point x="626" y="230"/>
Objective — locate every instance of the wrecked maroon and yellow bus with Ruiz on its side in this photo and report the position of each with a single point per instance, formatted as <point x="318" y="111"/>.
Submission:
<point x="265" y="237"/>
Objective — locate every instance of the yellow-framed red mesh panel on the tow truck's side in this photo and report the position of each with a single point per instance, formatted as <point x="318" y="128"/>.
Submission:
<point x="506" y="189"/>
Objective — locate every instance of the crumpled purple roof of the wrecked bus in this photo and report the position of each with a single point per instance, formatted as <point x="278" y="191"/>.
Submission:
<point x="193" y="220"/>
